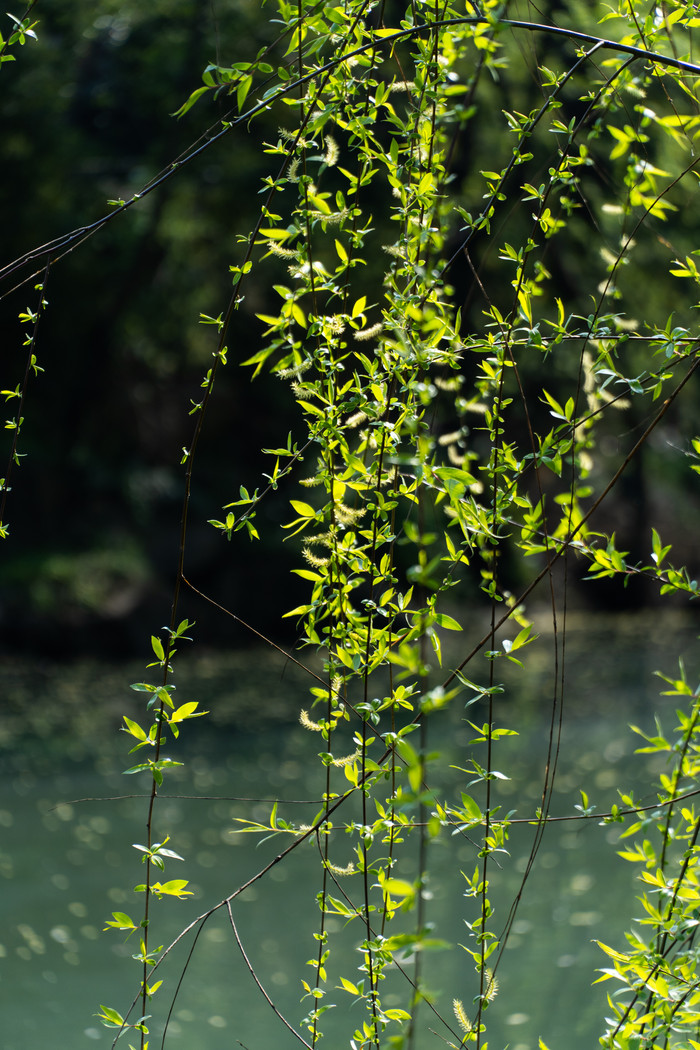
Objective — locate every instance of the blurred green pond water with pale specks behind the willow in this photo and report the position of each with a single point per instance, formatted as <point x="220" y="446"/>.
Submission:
<point x="66" y="865"/>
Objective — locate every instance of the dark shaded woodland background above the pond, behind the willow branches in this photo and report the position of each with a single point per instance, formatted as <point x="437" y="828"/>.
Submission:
<point x="86" y="116"/>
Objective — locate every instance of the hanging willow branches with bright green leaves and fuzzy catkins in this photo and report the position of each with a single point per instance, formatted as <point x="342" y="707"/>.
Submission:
<point x="476" y="361"/>
